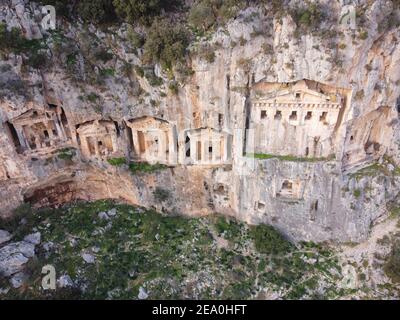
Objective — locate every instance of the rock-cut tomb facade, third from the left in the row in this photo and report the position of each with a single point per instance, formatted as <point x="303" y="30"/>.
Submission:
<point x="152" y="140"/>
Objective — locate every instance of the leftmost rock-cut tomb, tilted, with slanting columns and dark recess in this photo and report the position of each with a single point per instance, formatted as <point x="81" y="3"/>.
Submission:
<point x="38" y="130"/>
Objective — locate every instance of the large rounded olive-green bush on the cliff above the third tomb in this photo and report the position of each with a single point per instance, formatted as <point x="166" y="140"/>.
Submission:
<point x="166" y="43"/>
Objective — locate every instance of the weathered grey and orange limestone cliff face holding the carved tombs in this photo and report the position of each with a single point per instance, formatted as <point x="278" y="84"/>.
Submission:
<point x="332" y="180"/>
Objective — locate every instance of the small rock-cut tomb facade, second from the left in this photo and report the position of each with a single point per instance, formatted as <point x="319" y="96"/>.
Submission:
<point x="98" y="139"/>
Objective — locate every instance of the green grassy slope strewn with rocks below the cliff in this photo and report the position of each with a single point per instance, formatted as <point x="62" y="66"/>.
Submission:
<point x="171" y="257"/>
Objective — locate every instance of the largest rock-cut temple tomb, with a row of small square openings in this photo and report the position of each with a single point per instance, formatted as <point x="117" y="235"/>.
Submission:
<point x="293" y="120"/>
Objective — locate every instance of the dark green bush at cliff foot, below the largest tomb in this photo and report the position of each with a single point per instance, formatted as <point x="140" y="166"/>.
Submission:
<point x="268" y="240"/>
